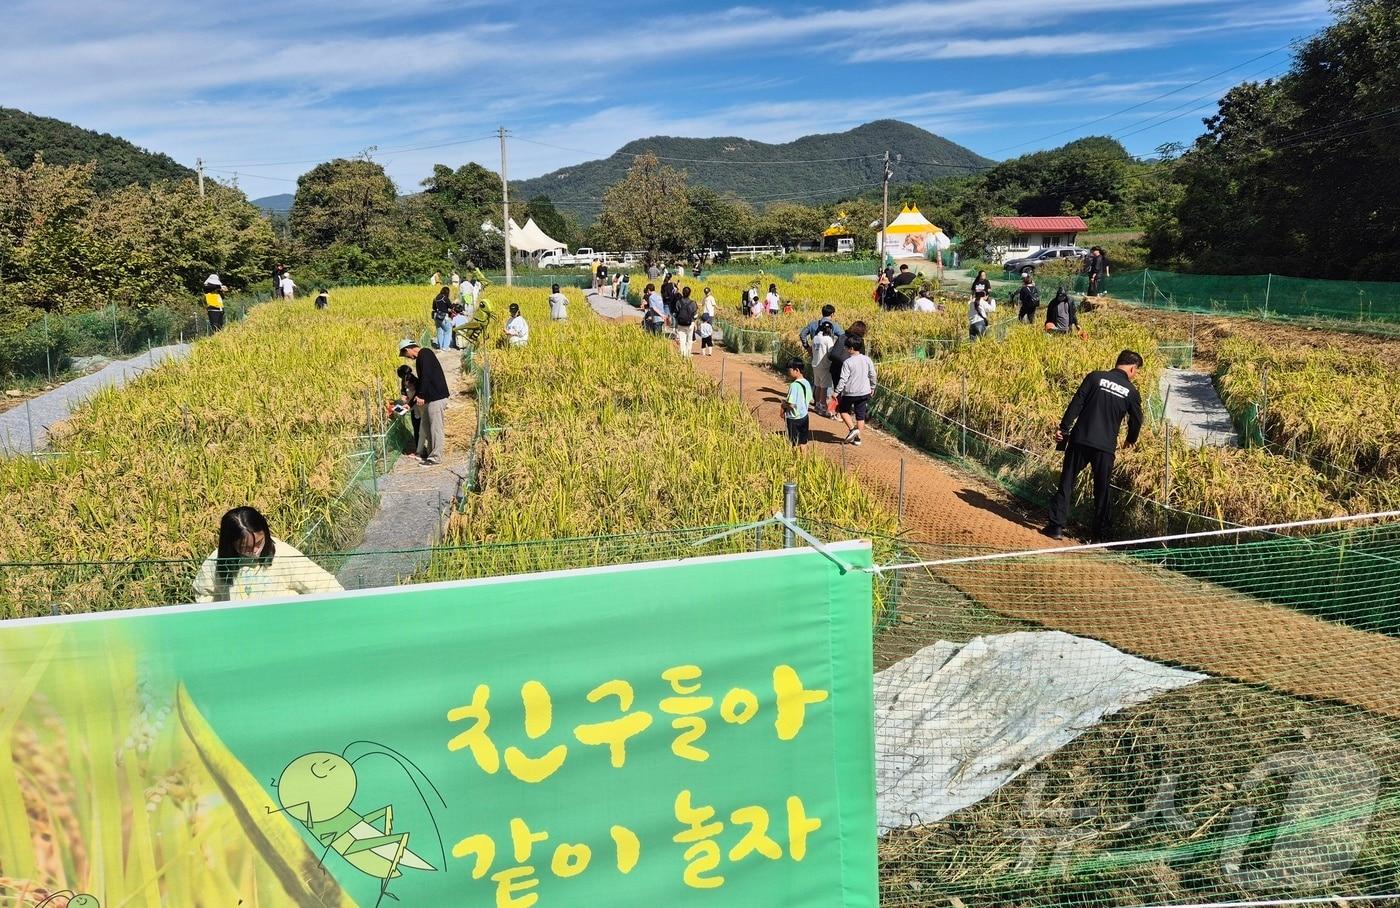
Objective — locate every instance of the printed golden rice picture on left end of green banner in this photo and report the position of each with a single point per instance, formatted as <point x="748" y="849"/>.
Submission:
<point x="104" y="793"/>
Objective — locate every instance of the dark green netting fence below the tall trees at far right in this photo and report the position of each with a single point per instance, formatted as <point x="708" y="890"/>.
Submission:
<point x="1262" y="296"/>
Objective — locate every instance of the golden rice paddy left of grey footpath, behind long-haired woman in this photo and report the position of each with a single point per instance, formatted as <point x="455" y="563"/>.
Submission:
<point x="265" y="413"/>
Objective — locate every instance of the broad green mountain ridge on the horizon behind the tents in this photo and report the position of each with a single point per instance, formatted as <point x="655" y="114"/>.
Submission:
<point x="836" y="166"/>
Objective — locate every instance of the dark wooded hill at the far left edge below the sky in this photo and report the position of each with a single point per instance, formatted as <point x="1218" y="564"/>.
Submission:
<point x="120" y="163"/>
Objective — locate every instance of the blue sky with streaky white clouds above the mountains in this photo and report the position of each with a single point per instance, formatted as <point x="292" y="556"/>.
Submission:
<point x="267" y="89"/>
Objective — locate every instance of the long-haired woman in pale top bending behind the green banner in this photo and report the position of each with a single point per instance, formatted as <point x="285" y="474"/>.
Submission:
<point x="251" y="565"/>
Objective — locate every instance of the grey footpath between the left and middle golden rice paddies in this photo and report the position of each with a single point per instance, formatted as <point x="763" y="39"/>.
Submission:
<point x="415" y="500"/>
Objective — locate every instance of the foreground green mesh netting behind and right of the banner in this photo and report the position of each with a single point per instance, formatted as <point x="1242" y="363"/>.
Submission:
<point x="1272" y="774"/>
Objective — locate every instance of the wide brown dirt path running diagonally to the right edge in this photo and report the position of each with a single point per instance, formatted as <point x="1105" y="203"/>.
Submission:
<point x="1144" y="611"/>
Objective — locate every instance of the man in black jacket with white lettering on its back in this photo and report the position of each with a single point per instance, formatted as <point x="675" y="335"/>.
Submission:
<point x="1090" y="436"/>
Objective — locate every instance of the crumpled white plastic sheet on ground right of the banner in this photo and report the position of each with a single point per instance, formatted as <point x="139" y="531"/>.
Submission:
<point x="957" y="723"/>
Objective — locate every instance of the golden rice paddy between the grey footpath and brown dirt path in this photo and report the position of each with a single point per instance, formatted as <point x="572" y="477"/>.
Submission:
<point x="607" y="432"/>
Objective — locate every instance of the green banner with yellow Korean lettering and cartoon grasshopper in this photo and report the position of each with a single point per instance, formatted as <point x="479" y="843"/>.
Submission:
<point x="680" y="734"/>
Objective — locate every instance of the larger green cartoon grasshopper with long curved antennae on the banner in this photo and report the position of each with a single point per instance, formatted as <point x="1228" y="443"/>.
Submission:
<point x="318" y="788"/>
